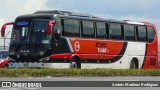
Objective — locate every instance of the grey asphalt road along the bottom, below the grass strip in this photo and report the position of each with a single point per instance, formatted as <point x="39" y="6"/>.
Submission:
<point x="83" y="79"/>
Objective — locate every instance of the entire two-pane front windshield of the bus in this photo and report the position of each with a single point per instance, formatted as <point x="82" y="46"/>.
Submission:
<point x="36" y="33"/>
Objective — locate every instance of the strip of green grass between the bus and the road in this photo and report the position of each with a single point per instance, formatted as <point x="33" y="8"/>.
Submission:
<point x="27" y="72"/>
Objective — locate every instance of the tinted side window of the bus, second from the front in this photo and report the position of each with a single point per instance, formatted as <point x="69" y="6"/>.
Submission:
<point x="87" y="29"/>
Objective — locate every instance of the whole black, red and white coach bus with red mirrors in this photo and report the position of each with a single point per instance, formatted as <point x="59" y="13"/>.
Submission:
<point x="64" y="39"/>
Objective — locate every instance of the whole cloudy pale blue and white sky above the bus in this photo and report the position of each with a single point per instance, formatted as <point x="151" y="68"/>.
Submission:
<point x="135" y="10"/>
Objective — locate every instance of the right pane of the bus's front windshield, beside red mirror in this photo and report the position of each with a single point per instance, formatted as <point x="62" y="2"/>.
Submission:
<point x="38" y="33"/>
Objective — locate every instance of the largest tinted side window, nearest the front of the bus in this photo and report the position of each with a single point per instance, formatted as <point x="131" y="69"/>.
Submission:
<point x="71" y="28"/>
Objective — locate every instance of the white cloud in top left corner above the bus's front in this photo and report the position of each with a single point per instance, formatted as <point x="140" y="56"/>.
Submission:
<point x="10" y="9"/>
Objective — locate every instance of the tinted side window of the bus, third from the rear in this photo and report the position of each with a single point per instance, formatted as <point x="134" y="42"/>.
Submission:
<point x="129" y="32"/>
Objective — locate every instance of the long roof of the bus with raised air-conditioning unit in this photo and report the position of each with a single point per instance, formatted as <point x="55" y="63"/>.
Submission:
<point x="77" y="15"/>
